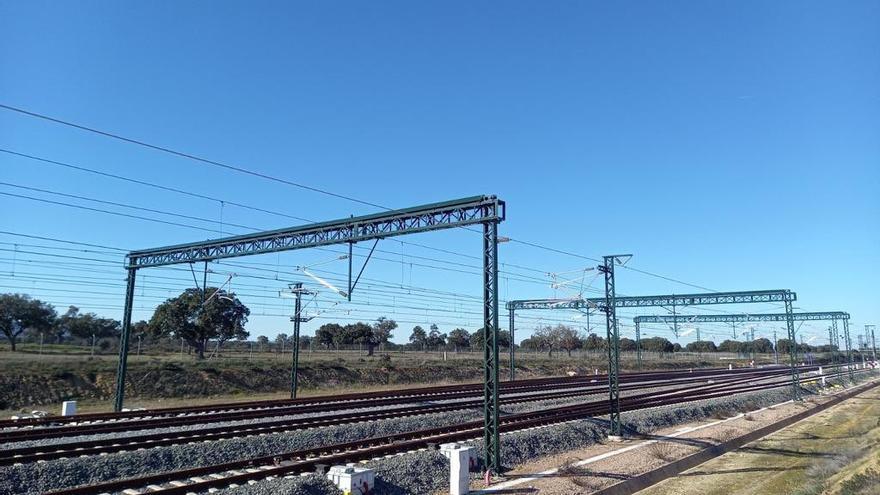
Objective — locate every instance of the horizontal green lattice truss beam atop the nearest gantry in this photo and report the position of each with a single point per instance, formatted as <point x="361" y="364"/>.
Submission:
<point x="457" y="213"/>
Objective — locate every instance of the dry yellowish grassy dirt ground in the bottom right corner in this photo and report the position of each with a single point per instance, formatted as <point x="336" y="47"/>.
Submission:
<point x="827" y="453"/>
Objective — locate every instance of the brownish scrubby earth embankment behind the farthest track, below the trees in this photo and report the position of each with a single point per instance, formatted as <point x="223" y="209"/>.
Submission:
<point x="26" y="387"/>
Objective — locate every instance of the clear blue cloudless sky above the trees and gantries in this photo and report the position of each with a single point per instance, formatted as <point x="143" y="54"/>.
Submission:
<point x="729" y="145"/>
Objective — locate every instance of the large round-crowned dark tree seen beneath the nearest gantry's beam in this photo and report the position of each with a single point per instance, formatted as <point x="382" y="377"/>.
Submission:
<point x="197" y="319"/>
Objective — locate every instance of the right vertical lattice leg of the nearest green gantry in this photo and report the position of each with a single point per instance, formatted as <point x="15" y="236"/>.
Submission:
<point x="490" y="346"/>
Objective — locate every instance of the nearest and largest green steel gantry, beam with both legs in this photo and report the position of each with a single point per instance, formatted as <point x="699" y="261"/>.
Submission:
<point x="487" y="211"/>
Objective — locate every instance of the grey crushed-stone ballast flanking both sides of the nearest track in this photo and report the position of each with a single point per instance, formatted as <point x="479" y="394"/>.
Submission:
<point x="419" y="472"/>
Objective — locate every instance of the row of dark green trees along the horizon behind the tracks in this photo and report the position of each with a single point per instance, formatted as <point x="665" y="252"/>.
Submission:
<point x="208" y="318"/>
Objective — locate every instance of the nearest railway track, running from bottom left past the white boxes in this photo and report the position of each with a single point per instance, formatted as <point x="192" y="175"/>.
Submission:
<point x="202" y="479"/>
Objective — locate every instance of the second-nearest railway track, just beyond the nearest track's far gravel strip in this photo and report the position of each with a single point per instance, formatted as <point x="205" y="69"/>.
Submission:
<point x="117" y="444"/>
